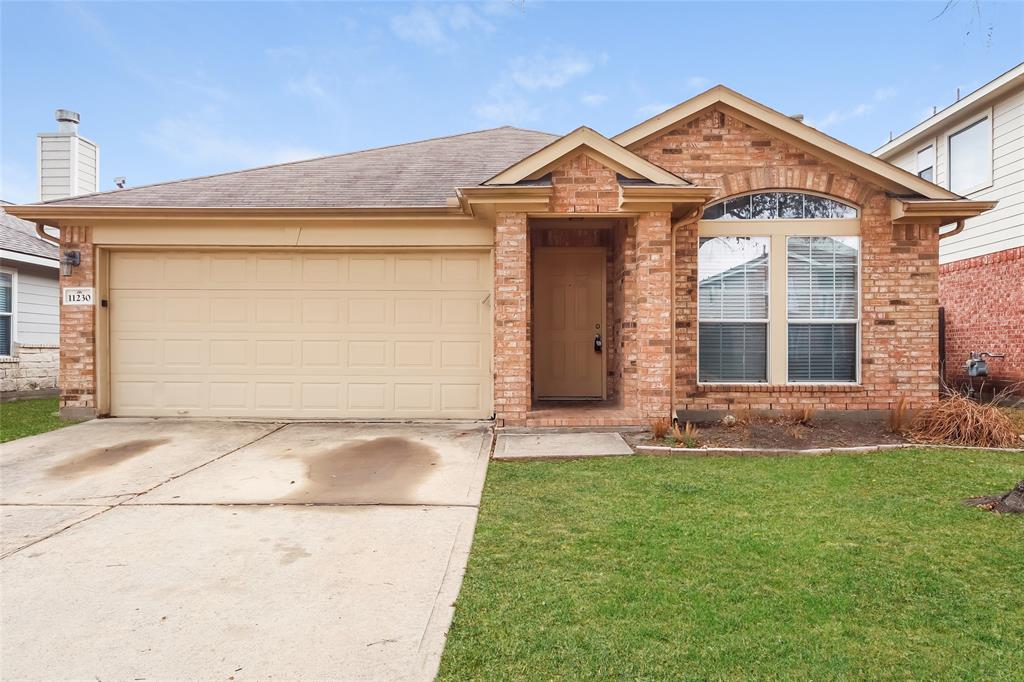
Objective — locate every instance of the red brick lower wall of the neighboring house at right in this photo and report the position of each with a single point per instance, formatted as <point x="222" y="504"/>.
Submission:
<point x="984" y="299"/>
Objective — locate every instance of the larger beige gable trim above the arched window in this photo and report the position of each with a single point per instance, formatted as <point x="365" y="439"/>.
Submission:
<point x="801" y="136"/>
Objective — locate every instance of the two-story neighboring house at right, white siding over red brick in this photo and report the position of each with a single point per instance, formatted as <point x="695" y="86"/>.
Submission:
<point x="975" y="148"/>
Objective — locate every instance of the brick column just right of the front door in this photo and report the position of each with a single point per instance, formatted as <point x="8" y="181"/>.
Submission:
<point x="654" y="314"/>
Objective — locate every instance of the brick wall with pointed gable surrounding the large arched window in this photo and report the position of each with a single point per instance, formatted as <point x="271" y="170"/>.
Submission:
<point x="900" y="270"/>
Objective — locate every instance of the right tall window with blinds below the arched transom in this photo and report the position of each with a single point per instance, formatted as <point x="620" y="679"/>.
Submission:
<point x="823" y="308"/>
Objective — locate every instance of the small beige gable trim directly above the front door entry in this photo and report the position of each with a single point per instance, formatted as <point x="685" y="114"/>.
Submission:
<point x="595" y="146"/>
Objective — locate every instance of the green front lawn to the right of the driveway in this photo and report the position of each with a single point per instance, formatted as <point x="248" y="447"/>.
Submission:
<point x="800" y="568"/>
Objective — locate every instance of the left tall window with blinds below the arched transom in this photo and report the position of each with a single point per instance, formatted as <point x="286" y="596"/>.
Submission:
<point x="733" y="309"/>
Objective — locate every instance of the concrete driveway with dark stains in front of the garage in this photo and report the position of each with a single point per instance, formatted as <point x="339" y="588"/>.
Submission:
<point x="162" y="549"/>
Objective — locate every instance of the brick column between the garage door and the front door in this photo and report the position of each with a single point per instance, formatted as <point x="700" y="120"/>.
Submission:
<point x="513" y="323"/>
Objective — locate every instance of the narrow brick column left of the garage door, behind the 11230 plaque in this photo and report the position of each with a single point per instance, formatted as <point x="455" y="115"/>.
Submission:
<point x="78" y="332"/>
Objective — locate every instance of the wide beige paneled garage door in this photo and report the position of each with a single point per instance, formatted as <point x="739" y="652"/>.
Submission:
<point x="305" y="334"/>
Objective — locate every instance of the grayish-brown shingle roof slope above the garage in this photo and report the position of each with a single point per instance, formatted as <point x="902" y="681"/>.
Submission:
<point x="415" y="175"/>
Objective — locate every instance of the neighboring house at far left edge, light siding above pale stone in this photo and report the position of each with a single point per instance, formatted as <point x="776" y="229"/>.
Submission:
<point x="29" y="312"/>
